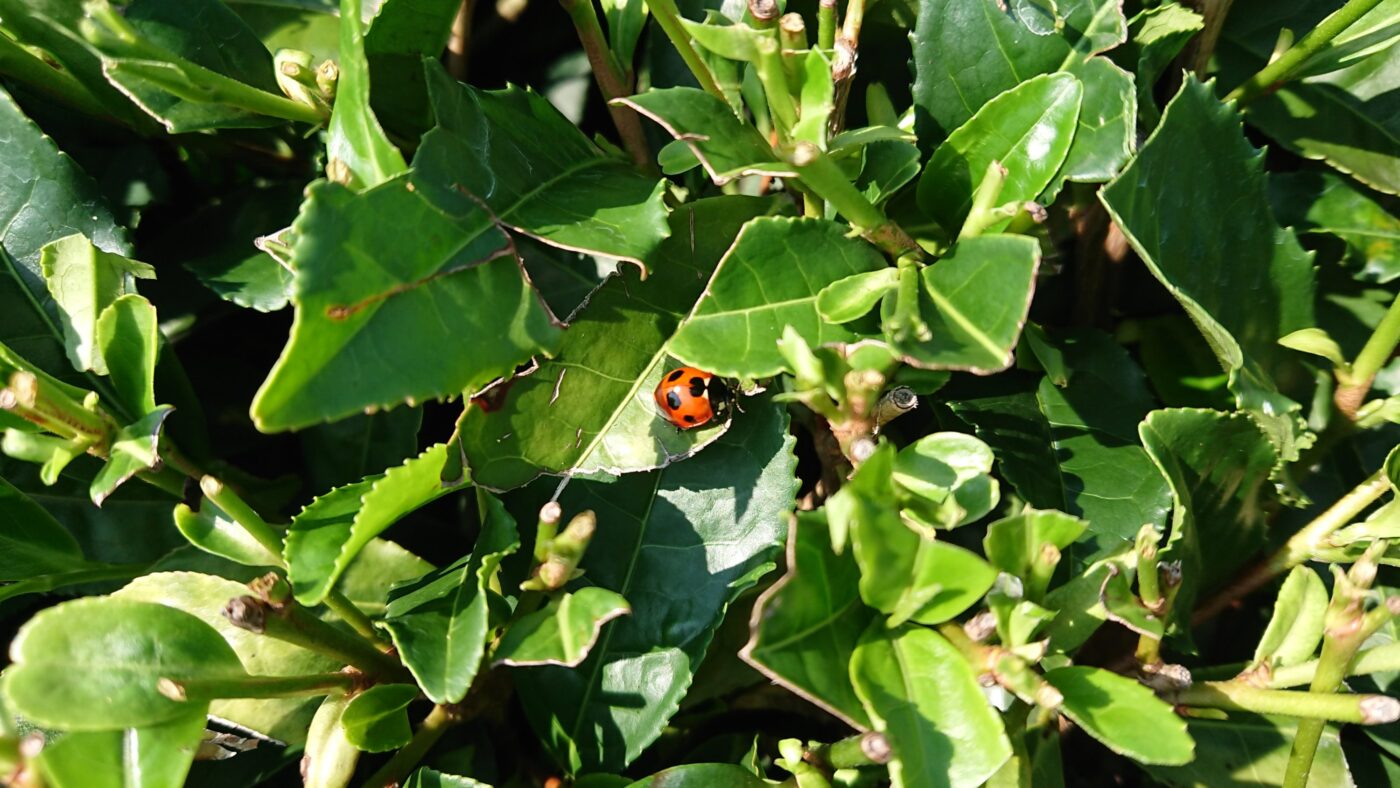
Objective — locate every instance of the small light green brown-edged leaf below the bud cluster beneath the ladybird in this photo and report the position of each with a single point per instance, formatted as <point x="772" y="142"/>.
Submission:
<point x="563" y="633"/>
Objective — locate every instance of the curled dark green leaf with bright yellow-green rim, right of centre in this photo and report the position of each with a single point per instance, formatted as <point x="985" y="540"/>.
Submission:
<point x="1219" y="467"/>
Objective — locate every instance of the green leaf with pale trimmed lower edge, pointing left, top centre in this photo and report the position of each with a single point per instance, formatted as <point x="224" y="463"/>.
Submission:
<point x="726" y="146"/>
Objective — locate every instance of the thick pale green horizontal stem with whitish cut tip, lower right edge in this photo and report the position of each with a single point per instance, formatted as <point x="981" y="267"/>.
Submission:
<point x="1238" y="696"/>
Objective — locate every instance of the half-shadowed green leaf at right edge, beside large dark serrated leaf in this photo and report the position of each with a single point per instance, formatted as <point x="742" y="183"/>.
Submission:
<point x="1317" y="204"/>
